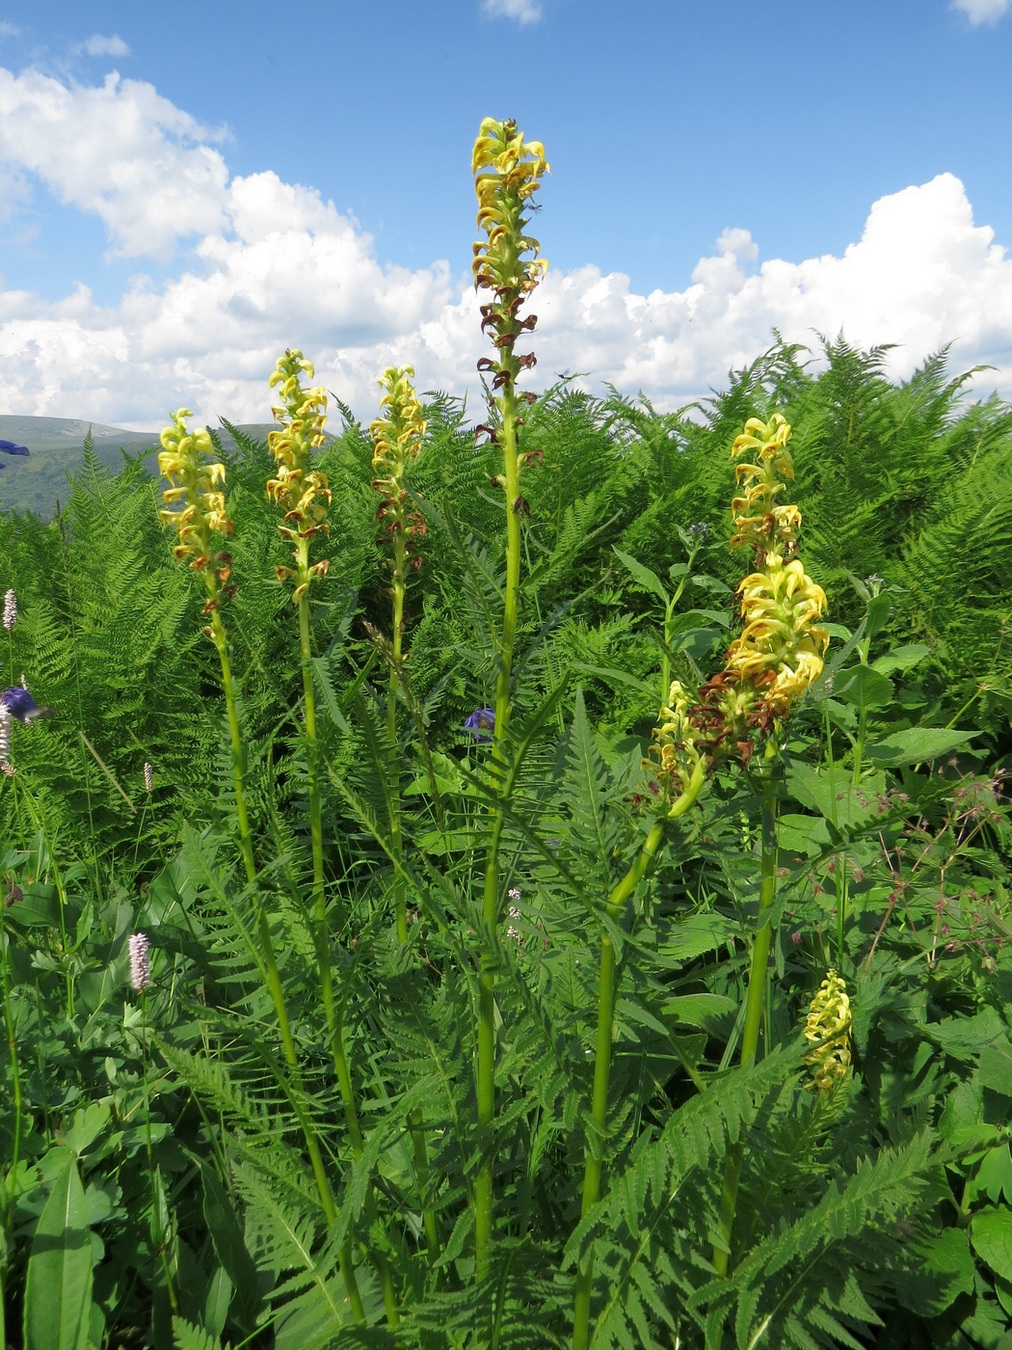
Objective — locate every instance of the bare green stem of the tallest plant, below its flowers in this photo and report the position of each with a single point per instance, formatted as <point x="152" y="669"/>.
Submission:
<point x="490" y="902"/>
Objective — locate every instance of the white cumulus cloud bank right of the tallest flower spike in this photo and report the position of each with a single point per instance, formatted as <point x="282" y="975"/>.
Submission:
<point x="921" y="276"/>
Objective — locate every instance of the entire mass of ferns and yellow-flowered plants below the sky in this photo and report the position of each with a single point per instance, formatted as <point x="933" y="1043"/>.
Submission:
<point x="381" y="967"/>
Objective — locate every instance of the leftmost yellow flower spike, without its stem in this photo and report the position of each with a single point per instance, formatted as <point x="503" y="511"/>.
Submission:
<point x="196" y="506"/>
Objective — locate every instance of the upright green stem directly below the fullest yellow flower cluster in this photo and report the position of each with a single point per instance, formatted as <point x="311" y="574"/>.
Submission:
<point x="755" y="1000"/>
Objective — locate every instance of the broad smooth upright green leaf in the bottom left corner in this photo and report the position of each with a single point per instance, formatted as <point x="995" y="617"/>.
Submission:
<point x="59" y="1285"/>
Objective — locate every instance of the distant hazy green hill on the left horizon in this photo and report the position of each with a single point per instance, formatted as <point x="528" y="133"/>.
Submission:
<point x="38" y="483"/>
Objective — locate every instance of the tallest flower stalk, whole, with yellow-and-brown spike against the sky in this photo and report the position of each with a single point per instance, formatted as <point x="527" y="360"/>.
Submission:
<point x="507" y="176"/>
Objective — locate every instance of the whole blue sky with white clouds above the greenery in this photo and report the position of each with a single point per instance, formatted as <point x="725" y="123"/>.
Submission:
<point x="183" y="196"/>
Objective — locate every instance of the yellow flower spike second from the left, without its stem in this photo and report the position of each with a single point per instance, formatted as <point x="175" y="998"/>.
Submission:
<point x="300" y="491"/>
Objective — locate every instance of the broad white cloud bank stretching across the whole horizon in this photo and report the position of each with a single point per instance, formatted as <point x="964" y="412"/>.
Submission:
<point x="264" y="265"/>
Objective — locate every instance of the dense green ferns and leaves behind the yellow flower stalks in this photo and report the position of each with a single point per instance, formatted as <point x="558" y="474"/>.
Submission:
<point x="875" y="1220"/>
